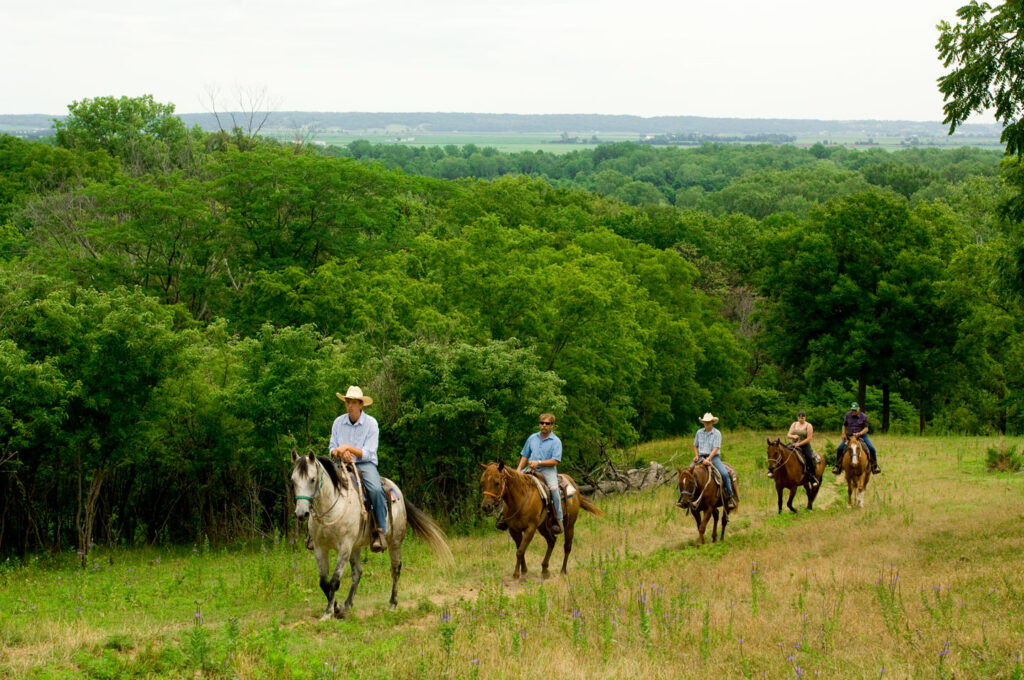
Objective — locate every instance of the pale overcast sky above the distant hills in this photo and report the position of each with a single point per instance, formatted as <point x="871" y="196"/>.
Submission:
<point x="744" y="59"/>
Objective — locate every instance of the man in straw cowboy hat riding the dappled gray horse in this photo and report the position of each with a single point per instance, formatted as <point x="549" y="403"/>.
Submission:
<point x="354" y="440"/>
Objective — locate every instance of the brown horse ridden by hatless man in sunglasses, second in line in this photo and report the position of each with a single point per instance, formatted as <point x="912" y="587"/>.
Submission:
<point x="526" y="513"/>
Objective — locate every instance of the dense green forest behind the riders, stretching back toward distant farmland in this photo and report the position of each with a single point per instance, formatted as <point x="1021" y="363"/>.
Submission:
<point x="179" y="309"/>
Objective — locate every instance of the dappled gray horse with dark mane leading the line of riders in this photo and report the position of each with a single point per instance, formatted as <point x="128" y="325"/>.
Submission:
<point x="338" y="522"/>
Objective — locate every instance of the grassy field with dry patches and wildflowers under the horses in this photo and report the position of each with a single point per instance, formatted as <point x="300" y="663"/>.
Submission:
<point x="925" y="582"/>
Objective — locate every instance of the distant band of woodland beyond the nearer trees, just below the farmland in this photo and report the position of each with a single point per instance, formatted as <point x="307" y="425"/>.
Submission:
<point x="756" y="181"/>
